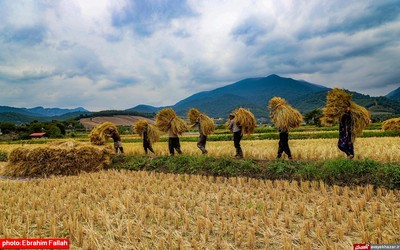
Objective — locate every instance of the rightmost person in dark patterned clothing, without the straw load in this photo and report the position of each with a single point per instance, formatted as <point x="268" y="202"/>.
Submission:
<point x="345" y="142"/>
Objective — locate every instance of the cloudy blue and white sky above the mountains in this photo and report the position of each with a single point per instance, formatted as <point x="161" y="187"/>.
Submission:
<point x="116" y="54"/>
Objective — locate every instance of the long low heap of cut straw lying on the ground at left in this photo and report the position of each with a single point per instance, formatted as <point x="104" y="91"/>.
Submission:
<point x="66" y="158"/>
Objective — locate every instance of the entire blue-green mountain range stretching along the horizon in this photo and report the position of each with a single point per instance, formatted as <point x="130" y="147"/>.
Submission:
<point x="252" y="93"/>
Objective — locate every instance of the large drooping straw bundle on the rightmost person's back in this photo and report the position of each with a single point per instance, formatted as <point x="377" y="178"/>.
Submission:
<point x="337" y="102"/>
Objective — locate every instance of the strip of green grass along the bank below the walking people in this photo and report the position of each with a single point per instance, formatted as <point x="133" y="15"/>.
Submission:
<point x="341" y="172"/>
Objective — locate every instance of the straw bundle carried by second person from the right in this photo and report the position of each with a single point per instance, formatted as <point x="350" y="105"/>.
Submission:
<point x="283" y="115"/>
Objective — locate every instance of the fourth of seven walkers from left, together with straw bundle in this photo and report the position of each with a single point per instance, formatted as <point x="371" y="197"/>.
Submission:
<point x="206" y="127"/>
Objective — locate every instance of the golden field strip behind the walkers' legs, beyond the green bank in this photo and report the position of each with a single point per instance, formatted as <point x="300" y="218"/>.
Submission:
<point x="383" y="149"/>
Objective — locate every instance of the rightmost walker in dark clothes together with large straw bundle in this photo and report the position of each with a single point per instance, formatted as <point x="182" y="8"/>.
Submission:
<point x="352" y="118"/>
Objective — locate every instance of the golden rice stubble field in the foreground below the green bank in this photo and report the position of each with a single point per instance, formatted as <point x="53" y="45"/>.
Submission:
<point x="142" y="210"/>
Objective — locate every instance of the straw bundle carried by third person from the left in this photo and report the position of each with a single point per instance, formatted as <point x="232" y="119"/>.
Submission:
<point x="167" y="119"/>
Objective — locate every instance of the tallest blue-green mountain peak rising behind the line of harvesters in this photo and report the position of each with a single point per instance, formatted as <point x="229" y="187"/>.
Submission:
<point x="252" y="93"/>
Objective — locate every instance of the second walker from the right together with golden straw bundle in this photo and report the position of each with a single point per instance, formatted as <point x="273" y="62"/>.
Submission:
<point x="285" y="118"/>
